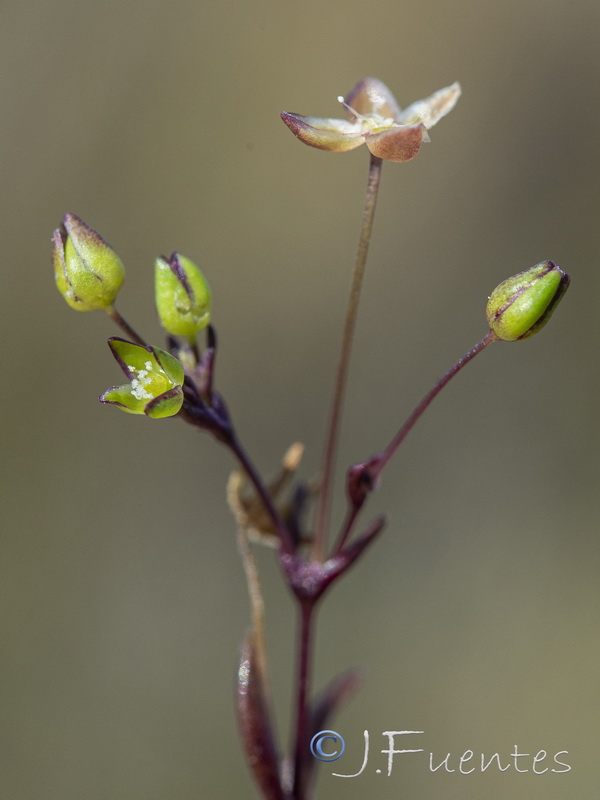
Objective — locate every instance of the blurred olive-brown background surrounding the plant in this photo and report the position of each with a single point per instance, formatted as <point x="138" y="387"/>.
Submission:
<point x="476" y="616"/>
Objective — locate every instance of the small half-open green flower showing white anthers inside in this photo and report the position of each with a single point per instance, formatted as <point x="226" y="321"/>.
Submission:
<point x="155" y="380"/>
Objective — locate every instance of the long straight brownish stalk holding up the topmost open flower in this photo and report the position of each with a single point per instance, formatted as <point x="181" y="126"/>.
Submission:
<point x="335" y="417"/>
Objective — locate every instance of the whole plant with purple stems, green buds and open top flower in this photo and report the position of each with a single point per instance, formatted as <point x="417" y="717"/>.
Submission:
<point x="161" y="384"/>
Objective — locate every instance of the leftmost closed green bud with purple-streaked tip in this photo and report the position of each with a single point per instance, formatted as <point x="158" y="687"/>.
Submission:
<point x="87" y="271"/>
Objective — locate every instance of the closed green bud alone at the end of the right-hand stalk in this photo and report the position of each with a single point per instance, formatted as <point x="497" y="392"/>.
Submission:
<point x="523" y="304"/>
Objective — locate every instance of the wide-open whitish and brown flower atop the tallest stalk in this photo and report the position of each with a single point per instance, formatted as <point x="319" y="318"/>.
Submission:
<point x="375" y="119"/>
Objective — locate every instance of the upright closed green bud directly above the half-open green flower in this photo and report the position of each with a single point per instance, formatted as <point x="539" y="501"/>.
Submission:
<point x="182" y="296"/>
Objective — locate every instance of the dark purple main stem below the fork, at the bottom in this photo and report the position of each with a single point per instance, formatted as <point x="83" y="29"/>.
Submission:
<point x="301" y="752"/>
